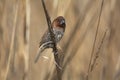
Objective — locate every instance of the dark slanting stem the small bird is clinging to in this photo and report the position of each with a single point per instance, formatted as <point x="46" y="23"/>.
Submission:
<point x="55" y="50"/>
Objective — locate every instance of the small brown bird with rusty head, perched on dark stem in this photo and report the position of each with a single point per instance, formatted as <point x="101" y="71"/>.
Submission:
<point x="58" y="25"/>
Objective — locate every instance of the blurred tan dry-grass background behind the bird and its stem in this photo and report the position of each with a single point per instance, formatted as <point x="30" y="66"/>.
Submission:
<point x="23" y="22"/>
